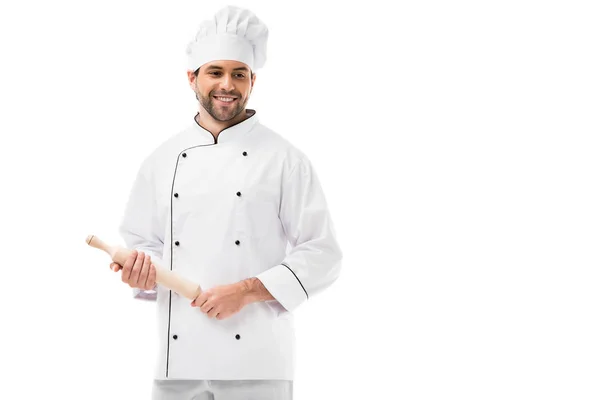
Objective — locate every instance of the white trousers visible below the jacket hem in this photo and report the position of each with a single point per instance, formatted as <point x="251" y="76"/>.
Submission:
<point x="222" y="390"/>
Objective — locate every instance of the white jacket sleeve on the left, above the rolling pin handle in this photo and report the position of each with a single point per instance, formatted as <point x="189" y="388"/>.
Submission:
<point x="140" y="228"/>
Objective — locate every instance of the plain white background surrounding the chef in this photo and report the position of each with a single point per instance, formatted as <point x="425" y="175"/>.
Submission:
<point x="457" y="144"/>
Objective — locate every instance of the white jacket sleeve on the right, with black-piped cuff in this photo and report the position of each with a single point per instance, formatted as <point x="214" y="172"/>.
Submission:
<point x="314" y="260"/>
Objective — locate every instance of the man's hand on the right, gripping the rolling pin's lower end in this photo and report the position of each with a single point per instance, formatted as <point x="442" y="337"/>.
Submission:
<point x="223" y="301"/>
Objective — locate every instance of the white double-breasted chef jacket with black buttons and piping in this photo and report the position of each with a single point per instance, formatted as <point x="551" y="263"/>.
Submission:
<point x="217" y="211"/>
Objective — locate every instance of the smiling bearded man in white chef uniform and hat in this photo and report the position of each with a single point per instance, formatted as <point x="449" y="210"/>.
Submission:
<point x="232" y="205"/>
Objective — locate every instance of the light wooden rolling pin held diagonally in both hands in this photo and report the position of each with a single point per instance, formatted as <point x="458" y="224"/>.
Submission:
<point x="164" y="277"/>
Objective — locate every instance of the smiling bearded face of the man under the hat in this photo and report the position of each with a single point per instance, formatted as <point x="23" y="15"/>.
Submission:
<point x="223" y="88"/>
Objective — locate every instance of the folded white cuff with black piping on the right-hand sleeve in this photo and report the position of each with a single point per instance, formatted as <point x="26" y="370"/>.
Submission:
<point x="284" y="286"/>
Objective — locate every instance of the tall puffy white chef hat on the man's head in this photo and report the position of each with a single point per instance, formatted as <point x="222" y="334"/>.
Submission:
<point x="233" y="34"/>
